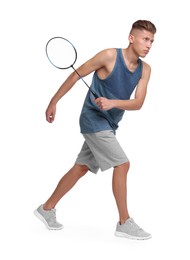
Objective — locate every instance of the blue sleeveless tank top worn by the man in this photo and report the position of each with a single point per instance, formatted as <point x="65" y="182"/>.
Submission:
<point x="118" y="85"/>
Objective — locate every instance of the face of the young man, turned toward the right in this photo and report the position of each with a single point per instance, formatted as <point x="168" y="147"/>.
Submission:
<point x="141" y="42"/>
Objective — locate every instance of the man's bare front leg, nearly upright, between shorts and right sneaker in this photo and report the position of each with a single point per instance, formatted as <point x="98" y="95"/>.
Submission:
<point x="119" y="185"/>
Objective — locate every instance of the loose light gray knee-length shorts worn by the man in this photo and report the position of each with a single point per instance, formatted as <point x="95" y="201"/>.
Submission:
<point x="101" y="150"/>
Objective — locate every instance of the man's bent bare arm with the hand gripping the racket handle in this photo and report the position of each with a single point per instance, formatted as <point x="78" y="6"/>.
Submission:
<point x="132" y="104"/>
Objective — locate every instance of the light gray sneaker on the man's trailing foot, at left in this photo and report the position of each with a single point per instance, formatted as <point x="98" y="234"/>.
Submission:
<point x="48" y="217"/>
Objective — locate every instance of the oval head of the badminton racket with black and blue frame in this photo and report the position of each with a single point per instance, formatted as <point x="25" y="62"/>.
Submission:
<point x="61" y="52"/>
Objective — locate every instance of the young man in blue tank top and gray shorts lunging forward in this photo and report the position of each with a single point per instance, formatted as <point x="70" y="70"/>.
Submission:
<point x="117" y="72"/>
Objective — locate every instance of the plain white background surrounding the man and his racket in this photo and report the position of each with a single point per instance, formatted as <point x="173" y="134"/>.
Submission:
<point x="35" y="154"/>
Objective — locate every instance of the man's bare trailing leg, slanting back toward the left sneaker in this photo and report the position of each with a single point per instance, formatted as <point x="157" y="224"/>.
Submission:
<point x="65" y="184"/>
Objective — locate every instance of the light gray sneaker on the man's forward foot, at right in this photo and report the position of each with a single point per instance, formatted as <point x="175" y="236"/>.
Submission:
<point x="131" y="230"/>
